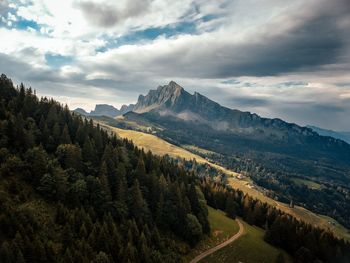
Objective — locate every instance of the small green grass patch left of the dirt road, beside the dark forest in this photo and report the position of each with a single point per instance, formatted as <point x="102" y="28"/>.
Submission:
<point x="222" y="228"/>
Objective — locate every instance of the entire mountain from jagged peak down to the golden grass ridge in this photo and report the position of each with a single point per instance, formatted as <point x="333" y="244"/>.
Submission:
<point x="273" y="153"/>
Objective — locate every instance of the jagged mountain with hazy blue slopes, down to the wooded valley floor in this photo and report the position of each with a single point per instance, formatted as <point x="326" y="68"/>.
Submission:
<point x="184" y="118"/>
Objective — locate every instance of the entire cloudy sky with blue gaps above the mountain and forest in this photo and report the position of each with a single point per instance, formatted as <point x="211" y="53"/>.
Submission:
<point x="280" y="59"/>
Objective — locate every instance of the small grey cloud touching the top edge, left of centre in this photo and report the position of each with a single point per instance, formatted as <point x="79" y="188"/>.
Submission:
<point x="106" y="15"/>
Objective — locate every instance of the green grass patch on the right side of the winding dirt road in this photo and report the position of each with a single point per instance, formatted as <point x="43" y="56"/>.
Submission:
<point x="250" y="248"/>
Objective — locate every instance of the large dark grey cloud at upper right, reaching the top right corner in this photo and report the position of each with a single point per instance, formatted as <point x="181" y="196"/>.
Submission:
<point x="317" y="39"/>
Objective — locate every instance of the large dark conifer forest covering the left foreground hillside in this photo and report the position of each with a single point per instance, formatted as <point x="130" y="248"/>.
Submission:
<point x="70" y="192"/>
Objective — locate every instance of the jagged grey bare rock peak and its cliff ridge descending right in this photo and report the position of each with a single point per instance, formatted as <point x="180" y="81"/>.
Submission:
<point x="172" y="100"/>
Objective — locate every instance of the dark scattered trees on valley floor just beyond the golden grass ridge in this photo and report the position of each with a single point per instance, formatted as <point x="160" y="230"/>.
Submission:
<point x="332" y="199"/>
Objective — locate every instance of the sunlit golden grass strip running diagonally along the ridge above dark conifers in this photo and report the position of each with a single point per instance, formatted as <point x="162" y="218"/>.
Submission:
<point x="160" y="147"/>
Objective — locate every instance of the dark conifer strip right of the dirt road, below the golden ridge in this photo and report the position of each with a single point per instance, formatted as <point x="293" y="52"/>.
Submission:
<point x="304" y="242"/>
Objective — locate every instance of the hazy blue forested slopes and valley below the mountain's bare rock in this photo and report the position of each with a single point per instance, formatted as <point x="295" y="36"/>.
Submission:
<point x="271" y="164"/>
